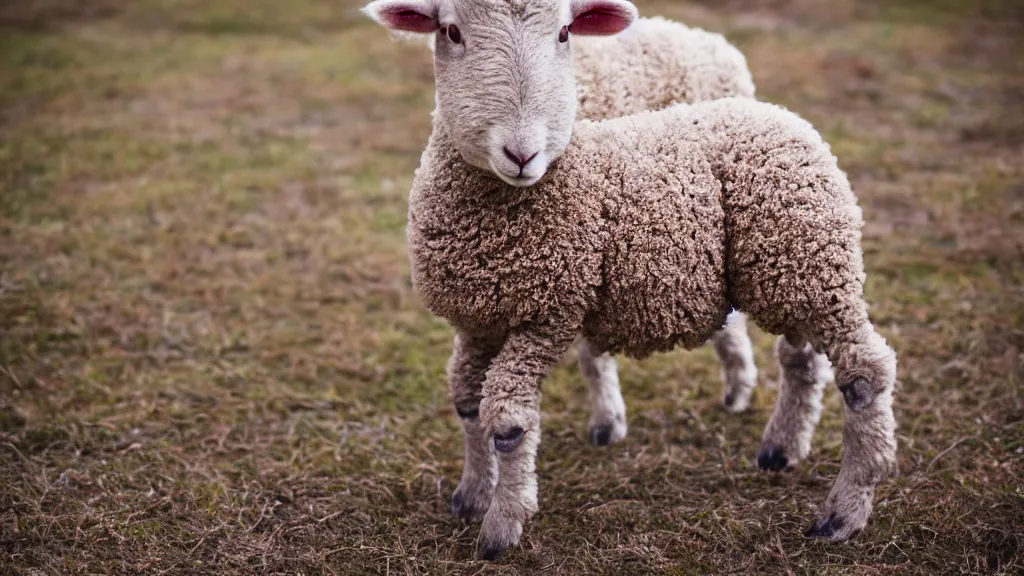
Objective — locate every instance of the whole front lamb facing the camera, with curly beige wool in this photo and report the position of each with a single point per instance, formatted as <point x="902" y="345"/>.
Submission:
<point x="528" y="229"/>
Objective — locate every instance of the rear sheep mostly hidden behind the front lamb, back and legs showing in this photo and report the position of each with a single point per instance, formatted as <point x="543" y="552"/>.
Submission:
<point x="654" y="65"/>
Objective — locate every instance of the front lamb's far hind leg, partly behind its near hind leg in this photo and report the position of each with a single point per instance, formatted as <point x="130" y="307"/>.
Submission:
<point x="804" y="375"/>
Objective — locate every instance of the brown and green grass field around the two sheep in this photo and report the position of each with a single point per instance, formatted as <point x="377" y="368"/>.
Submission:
<point x="212" y="361"/>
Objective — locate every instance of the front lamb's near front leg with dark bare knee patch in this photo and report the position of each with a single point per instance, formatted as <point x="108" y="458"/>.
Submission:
<point x="510" y="413"/>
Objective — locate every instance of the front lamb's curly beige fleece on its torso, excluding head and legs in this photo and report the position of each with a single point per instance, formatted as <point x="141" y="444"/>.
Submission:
<point x="647" y="232"/>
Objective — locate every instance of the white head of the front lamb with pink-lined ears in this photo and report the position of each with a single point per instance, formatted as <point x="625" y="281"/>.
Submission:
<point x="506" y="92"/>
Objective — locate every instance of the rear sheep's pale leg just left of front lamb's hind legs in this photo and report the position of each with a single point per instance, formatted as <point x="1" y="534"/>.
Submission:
<point x="741" y="375"/>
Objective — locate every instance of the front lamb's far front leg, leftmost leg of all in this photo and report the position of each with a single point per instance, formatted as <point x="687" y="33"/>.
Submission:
<point x="466" y="371"/>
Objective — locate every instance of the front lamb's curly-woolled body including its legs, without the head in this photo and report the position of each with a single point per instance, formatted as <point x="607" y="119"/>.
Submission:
<point x="642" y="238"/>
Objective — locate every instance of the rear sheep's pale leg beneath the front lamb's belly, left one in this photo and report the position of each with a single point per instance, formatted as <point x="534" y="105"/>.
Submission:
<point x="608" y="409"/>
